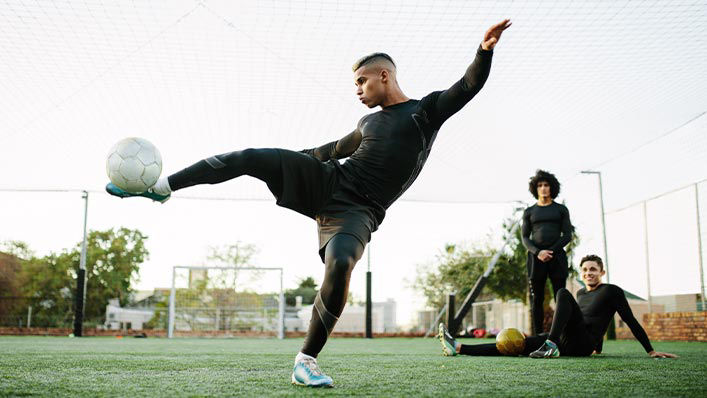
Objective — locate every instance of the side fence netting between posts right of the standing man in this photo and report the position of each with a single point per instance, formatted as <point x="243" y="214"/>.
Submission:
<point x="655" y="244"/>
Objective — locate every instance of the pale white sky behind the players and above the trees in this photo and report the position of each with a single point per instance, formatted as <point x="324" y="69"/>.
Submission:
<point x="618" y="87"/>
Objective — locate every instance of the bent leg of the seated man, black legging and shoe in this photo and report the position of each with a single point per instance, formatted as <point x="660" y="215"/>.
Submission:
<point x="568" y="317"/>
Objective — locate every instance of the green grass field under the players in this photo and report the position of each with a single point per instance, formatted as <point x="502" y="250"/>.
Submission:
<point x="53" y="366"/>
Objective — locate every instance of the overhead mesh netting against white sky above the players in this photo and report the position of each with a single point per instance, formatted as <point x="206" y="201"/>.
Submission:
<point x="198" y="78"/>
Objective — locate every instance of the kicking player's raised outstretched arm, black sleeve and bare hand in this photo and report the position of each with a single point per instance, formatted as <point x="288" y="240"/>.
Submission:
<point x="450" y="101"/>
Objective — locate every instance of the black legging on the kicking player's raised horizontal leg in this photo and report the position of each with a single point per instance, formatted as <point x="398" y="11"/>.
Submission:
<point x="263" y="164"/>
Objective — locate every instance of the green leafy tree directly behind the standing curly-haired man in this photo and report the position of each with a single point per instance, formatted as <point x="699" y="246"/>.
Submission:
<point x="458" y="268"/>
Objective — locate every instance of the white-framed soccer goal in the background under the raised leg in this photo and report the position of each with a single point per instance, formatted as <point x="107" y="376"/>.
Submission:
<point x="227" y="301"/>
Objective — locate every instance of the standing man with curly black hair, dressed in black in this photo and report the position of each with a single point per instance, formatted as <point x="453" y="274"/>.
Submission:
<point x="546" y="231"/>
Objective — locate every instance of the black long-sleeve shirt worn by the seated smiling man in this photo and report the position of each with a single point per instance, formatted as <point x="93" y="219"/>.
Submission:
<point x="598" y="308"/>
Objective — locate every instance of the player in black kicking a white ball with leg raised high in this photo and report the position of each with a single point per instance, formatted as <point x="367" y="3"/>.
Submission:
<point x="385" y="152"/>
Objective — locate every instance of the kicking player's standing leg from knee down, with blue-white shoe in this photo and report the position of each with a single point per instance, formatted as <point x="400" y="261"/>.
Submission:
<point x="341" y="254"/>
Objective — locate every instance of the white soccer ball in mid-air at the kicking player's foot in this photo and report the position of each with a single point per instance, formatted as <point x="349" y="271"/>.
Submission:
<point x="134" y="164"/>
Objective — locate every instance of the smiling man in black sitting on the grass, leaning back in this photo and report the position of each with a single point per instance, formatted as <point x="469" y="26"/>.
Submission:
<point x="578" y="327"/>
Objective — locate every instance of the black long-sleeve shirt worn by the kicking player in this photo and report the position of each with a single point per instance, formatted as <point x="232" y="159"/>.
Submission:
<point x="388" y="148"/>
